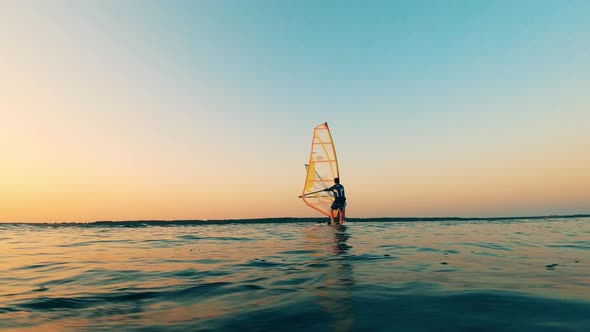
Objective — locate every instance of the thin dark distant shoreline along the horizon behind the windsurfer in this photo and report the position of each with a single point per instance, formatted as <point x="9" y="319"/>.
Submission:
<point x="292" y="220"/>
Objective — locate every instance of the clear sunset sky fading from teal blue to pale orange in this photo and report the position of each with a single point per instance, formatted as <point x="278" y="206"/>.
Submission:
<point x="128" y="110"/>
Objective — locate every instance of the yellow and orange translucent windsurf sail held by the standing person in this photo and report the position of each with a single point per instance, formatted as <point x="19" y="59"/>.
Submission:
<point x="321" y="171"/>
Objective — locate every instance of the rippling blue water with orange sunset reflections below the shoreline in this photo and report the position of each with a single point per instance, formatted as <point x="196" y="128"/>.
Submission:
<point x="415" y="276"/>
